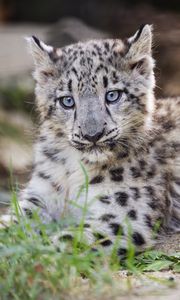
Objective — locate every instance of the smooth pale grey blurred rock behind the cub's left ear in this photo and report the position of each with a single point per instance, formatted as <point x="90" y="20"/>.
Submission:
<point x="14" y="57"/>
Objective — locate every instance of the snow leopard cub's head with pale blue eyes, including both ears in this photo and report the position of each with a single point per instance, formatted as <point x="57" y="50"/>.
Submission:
<point x="98" y="94"/>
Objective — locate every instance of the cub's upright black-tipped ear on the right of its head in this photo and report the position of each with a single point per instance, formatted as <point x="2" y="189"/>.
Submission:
<point x="140" y="43"/>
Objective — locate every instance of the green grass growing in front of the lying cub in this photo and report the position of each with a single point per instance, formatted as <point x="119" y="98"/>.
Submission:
<point x="31" y="267"/>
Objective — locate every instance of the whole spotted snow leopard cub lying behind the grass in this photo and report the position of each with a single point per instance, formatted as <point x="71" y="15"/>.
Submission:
<point x="96" y="106"/>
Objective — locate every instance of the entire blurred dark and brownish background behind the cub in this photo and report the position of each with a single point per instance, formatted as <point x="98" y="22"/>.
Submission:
<point x="61" y="22"/>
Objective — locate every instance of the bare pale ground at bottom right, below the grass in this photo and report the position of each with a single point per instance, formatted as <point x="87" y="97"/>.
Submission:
<point x="151" y="286"/>
